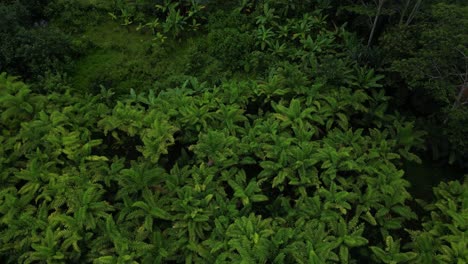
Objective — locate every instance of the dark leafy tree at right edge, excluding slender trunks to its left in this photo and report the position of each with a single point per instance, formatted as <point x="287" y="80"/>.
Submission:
<point x="429" y="58"/>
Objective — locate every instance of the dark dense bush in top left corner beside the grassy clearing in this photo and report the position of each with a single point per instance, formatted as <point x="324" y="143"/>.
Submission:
<point x="30" y="47"/>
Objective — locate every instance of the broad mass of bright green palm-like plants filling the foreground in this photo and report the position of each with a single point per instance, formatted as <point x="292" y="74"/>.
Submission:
<point x="292" y="168"/>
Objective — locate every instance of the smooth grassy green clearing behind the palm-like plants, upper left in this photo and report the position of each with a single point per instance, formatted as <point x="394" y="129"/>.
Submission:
<point x="123" y="58"/>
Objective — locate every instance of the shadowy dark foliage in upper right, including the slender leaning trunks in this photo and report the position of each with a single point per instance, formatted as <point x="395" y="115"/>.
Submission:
<point x="422" y="47"/>
